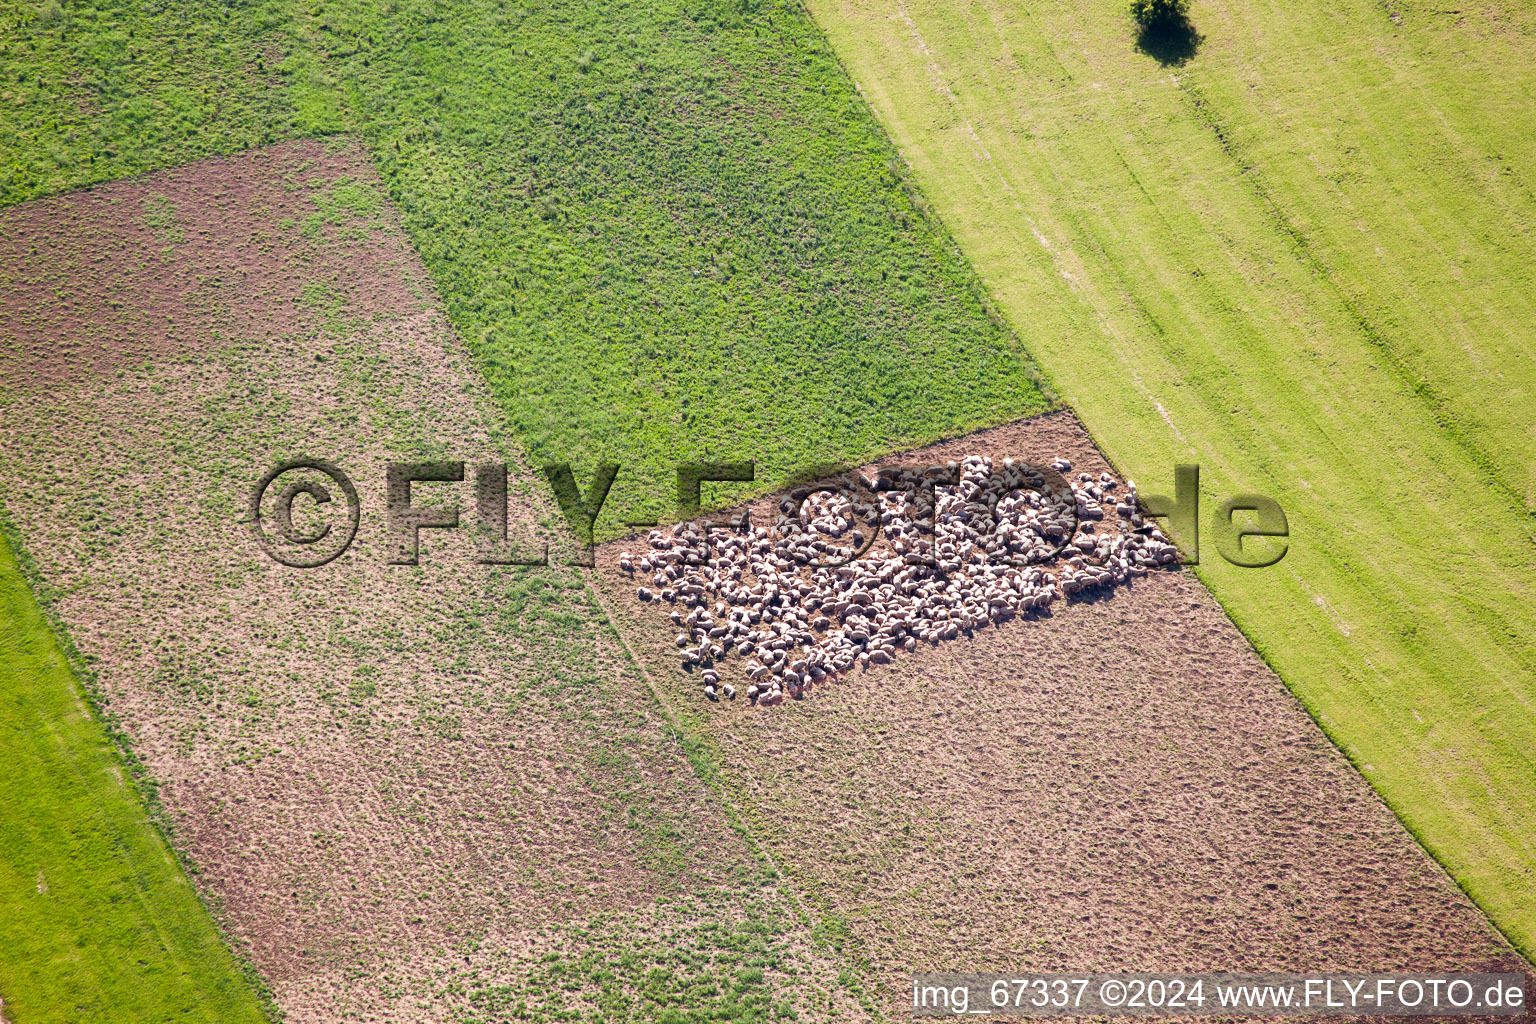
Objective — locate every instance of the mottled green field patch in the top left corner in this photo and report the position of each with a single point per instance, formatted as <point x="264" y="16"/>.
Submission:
<point x="91" y="93"/>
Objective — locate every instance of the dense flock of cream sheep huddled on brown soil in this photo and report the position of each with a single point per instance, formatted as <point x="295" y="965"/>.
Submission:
<point x="859" y="569"/>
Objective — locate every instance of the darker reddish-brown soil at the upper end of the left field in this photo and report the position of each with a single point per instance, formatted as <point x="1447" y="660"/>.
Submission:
<point x="108" y="277"/>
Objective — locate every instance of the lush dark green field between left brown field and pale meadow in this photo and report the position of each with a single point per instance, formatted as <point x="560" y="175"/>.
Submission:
<point x="670" y="233"/>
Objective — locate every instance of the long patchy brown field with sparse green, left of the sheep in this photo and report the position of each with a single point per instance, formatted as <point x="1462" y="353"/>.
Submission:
<point x="411" y="793"/>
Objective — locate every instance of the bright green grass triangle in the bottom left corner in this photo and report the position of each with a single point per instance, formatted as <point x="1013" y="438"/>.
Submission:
<point x="101" y="922"/>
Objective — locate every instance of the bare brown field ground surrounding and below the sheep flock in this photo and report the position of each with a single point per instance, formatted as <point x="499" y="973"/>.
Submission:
<point x="1116" y="784"/>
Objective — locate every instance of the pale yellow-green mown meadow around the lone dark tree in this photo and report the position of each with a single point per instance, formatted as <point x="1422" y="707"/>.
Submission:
<point x="1305" y="260"/>
